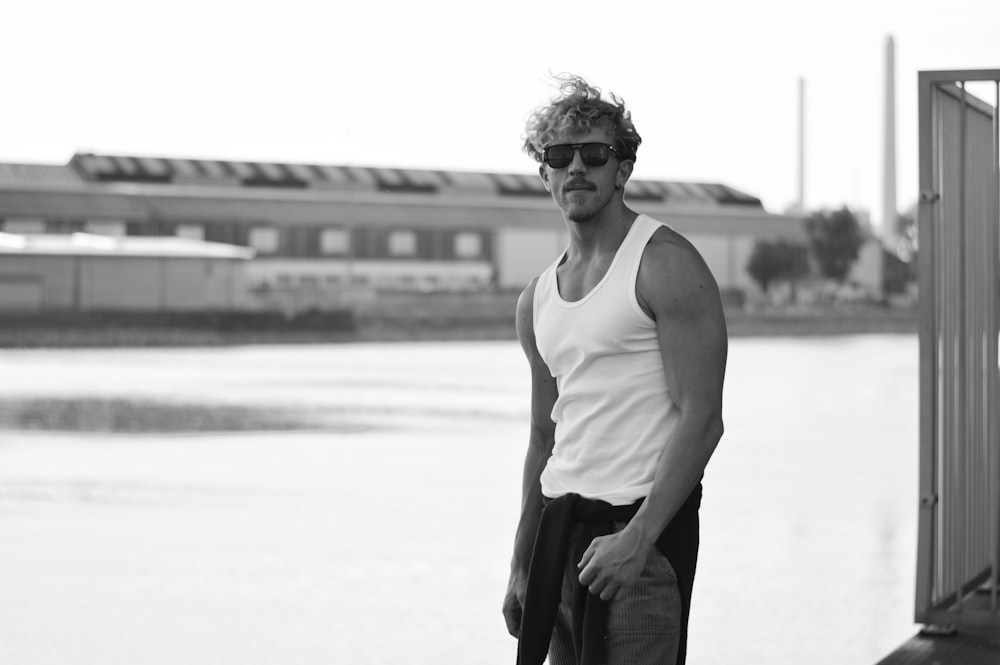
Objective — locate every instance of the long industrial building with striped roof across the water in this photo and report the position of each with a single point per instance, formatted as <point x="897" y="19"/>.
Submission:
<point x="323" y="236"/>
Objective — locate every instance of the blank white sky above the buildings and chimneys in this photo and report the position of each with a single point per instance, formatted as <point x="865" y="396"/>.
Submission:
<point x="441" y="84"/>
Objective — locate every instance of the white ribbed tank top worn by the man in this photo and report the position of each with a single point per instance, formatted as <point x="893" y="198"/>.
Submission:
<point x="614" y="412"/>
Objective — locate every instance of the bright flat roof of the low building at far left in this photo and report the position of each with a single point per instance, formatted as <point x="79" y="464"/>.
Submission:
<point x="97" y="245"/>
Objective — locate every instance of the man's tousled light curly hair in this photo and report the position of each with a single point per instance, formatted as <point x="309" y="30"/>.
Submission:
<point x="577" y="109"/>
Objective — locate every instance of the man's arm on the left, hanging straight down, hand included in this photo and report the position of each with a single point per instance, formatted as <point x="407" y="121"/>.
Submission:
<point x="540" y="442"/>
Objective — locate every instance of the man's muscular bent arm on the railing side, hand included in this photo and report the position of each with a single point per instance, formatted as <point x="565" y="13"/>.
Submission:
<point x="676" y="287"/>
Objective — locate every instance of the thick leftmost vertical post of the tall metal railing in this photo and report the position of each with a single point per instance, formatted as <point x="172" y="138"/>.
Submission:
<point x="928" y="490"/>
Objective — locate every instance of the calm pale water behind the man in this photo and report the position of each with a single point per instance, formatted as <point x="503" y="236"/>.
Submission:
<point x="355" y="504"/>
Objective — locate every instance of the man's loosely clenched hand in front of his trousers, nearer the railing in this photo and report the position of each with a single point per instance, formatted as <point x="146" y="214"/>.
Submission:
<point x="612" y="564"/>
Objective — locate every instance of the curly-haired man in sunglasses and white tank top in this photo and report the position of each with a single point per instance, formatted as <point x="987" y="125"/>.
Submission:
<point x="626" y="341"/>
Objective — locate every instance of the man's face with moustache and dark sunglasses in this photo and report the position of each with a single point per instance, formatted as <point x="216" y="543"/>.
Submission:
<point x="582" y="191"/>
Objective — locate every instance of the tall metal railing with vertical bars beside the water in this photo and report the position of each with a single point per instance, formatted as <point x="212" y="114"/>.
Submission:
<point x="958" y="555"/>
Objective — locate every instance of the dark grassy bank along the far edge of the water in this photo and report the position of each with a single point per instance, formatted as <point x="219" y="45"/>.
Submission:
<point x="402" y="318"/>
